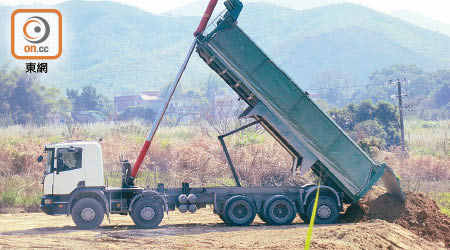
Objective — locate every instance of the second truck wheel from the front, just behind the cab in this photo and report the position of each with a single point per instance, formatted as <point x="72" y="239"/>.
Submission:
<point x="147" y="213"/>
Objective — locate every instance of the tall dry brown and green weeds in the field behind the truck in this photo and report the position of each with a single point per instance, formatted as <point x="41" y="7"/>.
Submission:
<point x="193" y="154"/>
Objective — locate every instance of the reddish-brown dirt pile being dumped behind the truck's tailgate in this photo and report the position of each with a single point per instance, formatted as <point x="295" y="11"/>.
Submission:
<point x="418" y="214"/>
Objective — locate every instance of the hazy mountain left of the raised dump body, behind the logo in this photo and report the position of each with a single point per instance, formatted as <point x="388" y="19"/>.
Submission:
<point x="118" y="48"/>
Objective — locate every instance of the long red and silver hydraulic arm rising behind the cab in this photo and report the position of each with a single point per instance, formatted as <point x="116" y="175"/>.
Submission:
<point x="173" y="86"/>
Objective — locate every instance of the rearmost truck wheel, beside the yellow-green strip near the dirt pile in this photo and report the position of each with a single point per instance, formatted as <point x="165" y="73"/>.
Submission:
<point x="327" y="210"/>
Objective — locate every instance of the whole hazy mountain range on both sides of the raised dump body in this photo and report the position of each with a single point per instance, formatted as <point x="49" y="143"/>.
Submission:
<point x="123" y="50"/>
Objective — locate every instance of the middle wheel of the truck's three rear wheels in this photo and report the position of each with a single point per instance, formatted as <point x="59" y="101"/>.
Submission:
<point x="279" y="210"/>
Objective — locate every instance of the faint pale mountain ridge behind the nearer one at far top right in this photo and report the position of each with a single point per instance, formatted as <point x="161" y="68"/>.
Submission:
<point x="422" y="21"/>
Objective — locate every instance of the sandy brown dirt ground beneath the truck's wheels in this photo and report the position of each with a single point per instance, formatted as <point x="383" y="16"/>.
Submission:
<point x="202" y="230"/>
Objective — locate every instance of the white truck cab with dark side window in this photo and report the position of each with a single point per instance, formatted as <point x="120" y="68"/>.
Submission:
<point x="72" y="164"/>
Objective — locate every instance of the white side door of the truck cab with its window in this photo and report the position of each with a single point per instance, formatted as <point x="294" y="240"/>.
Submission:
<point x="69" y="171"/>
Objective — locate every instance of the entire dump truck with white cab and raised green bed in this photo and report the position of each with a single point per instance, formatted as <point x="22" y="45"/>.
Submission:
<point x="74" y="182"/>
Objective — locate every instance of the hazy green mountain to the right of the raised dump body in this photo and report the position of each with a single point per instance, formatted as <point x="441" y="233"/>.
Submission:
<point x="344" y="37"/>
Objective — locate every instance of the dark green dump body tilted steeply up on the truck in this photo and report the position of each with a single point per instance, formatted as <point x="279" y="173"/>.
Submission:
<point x="309" y="134"/>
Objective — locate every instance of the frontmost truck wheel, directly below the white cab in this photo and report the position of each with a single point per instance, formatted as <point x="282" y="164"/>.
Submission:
<point x="87" y="213"/>
